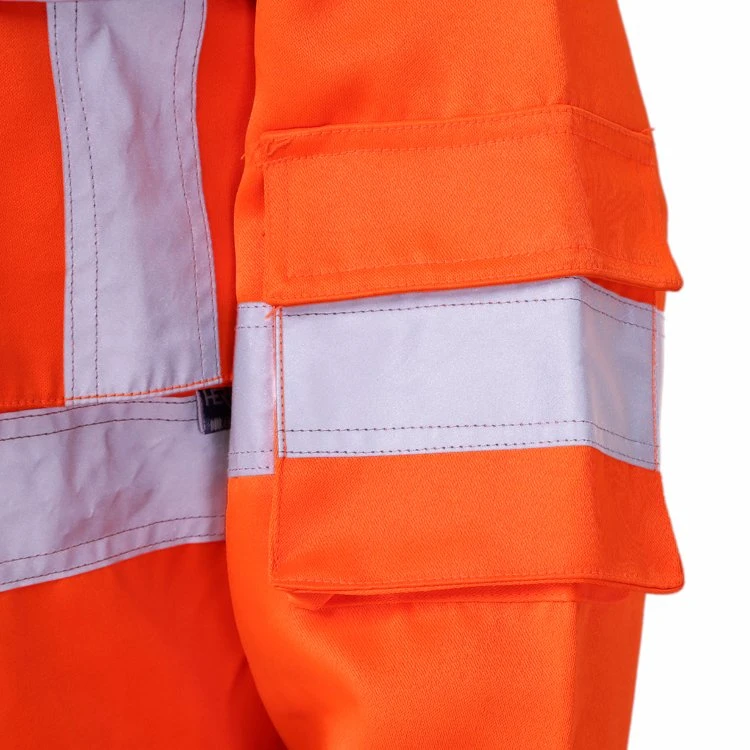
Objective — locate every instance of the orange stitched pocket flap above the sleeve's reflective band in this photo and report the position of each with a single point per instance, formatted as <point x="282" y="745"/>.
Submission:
<point x="351" y="211"/>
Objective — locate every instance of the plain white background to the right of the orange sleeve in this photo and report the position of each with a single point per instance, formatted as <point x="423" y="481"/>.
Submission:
<point x="693" y="62"/>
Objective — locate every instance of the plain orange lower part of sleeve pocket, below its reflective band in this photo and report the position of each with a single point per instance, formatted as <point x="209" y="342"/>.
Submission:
<point x="467" y="519"/>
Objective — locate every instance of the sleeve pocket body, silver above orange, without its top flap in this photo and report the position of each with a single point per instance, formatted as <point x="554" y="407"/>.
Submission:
<point x="487" y="437"/>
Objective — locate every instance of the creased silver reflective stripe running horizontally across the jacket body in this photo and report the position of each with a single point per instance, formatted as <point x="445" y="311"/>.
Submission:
<point x="88" y="486"/>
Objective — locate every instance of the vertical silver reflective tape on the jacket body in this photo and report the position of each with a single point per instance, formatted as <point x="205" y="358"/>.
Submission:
<point x="140" y="308"/>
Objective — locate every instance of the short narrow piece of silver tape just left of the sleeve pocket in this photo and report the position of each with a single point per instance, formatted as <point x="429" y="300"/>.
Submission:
<point x="251" y="445"/>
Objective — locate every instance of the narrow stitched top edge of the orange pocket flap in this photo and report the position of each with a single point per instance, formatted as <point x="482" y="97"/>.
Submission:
<point x="469" y="122"/>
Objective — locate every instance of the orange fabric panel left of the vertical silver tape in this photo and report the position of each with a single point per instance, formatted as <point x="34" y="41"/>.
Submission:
<point x="32" y="225"/>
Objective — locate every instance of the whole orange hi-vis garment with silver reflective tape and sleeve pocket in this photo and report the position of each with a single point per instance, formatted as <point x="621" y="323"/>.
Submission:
<point x="416" y="253"/>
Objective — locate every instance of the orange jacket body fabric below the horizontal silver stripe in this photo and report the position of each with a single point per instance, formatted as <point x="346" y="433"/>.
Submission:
<point x="141" y="654"/>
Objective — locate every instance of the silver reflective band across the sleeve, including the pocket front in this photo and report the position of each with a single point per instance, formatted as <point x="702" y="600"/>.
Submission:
<point x="554" y="363"/>
